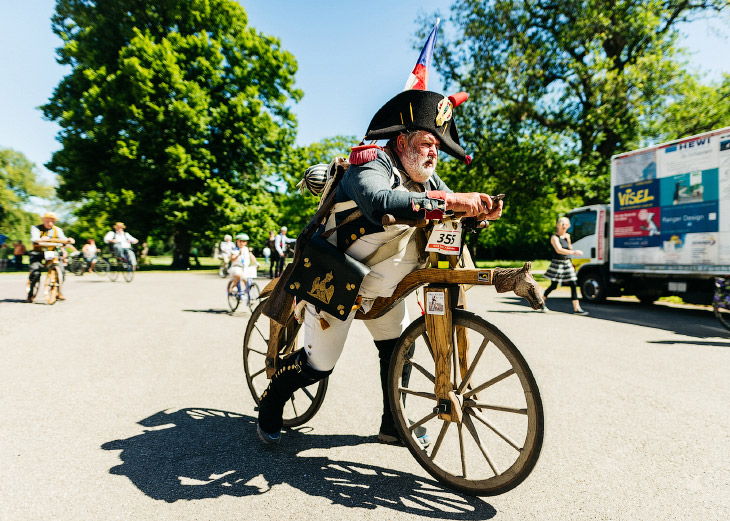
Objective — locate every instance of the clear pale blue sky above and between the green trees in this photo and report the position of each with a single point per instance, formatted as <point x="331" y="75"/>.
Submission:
<point x="352" y="56"/>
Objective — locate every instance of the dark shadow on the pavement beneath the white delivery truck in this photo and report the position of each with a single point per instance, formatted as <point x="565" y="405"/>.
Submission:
<point x="693" y="322"/>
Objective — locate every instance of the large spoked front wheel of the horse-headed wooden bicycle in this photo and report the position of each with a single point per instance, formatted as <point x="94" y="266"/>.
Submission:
<point x="450" y="443"/>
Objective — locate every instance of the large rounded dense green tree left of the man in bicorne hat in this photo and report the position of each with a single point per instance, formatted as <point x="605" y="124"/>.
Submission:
<point x="172" y="114"/>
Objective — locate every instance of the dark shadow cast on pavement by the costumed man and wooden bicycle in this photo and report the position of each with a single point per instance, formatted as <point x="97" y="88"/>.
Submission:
<point x="198" y="453"/>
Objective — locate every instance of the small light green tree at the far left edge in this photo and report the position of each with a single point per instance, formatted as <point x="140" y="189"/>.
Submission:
<point x="18" y="183"/>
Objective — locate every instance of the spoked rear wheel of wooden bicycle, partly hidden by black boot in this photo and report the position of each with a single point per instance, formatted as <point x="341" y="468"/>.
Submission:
<point x="305" y="403"/>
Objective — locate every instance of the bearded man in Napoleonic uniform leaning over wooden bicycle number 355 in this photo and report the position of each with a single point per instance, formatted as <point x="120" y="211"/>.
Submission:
<point x="398" y="179"/>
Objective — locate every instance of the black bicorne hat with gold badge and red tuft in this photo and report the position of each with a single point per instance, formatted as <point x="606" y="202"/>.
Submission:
<point x="420" y="110"/>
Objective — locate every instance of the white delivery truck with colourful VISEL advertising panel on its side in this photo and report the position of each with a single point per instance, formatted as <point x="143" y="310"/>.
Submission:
<point x="667" y="229"/>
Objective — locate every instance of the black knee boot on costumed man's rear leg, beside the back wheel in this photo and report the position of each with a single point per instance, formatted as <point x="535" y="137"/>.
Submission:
<point x="294" y="373"/>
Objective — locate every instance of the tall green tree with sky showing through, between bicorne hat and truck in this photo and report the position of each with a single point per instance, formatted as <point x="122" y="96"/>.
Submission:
<point x="557" y="88"/>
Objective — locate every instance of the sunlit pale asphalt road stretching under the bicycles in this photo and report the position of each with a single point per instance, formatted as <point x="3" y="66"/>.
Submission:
<point x="128" y="401"/>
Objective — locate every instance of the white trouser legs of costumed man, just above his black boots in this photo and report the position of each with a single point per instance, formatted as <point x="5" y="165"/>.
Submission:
<point x="324" y="347"/>
